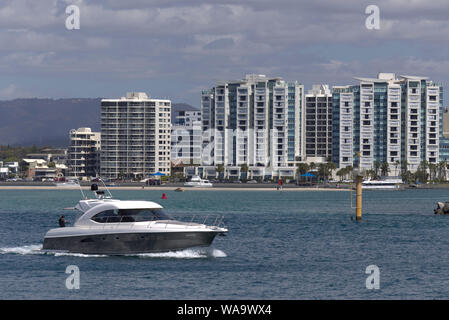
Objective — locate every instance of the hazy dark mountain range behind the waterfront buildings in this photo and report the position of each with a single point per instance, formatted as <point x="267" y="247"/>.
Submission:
<point x="46" y="122"/>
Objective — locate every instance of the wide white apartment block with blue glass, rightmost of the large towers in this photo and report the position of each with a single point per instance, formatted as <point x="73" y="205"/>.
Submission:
<point x="387" y="119"/>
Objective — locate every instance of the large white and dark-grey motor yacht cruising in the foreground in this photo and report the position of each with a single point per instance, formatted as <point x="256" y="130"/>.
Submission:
<point x="116" y="227"/>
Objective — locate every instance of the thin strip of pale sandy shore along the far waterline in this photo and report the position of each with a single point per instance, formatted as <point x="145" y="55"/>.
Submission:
<point x="161" y="188"/>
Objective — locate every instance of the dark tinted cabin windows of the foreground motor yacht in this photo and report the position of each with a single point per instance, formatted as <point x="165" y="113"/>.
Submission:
<point x="131" y="215"/>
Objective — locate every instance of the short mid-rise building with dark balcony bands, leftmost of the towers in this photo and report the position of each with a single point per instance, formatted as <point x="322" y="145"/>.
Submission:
<point x="83" y="153"/>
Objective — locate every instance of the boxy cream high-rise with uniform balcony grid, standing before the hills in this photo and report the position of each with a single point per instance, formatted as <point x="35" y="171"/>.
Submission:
<point x="135" y="136"/>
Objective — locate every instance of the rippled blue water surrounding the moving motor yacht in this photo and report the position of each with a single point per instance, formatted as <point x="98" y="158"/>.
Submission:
<point x="281" y="245"/>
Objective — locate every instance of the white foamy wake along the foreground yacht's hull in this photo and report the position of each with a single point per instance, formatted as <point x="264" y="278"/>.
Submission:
<point x="193" y="253"/>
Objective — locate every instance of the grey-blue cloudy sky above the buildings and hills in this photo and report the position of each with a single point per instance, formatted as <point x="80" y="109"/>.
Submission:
<point x="175" y="49"/>
